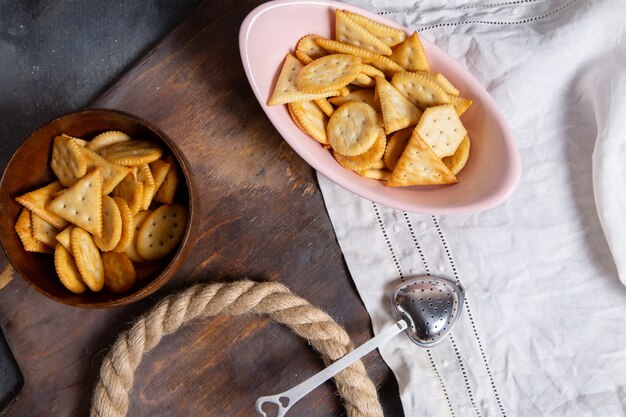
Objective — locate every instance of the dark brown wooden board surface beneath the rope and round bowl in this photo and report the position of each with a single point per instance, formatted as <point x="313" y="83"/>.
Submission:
<point x="262" y="217"/>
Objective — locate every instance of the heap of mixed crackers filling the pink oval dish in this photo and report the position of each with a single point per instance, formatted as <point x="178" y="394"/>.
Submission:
<point x="370" y="97"/>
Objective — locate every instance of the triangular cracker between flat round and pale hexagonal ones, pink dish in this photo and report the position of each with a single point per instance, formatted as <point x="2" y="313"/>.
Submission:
<point x="398" y="111"/>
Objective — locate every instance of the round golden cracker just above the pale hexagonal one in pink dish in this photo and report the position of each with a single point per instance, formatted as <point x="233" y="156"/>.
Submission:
<point x="420" y="90"/>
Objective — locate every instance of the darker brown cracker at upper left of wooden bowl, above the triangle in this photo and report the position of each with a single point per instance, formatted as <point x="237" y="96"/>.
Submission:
<point x="67" y="163"/>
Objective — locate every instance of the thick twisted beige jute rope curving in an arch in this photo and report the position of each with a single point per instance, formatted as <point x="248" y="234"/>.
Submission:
<point x="110" y="397"/>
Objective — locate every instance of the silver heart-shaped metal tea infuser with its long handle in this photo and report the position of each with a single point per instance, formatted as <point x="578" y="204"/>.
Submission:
<point x="426" y="308"/>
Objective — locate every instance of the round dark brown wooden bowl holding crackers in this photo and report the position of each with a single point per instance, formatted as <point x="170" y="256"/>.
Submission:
<point x="29" y="169"/>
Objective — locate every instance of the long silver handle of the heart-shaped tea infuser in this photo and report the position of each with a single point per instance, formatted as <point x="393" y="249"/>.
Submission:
<point x="286" y="399"/>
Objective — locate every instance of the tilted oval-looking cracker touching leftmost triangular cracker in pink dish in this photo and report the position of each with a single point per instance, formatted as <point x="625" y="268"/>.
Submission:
<point x="328" y="73"/>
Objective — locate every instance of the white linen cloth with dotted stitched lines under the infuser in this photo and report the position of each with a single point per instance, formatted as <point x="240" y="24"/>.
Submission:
<point x="543" y="331"/>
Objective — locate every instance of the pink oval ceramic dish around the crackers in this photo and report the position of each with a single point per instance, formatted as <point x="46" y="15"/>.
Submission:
<point x="493" y="169"/>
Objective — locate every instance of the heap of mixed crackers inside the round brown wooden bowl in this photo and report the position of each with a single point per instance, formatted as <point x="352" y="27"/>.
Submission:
<point x="110" y="216"/>
